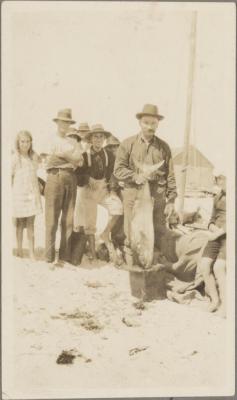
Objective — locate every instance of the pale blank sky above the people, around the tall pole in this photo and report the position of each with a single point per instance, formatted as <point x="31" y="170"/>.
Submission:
<point x="105" y="60"/>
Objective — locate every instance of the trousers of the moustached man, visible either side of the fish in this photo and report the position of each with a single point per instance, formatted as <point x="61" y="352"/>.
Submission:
<point x="129" y="197"/>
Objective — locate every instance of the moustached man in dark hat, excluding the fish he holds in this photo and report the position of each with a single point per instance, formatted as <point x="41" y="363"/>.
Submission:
<point x="146" y="149"/>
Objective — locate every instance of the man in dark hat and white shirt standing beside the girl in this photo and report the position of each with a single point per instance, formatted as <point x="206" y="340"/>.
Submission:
<point x="60" y="190"/>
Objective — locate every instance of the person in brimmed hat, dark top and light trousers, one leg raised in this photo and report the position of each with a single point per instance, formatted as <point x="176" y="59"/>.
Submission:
<point x="95" y="177"/>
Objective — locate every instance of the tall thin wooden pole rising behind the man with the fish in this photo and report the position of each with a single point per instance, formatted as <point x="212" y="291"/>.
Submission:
<point x="188" y="111"/>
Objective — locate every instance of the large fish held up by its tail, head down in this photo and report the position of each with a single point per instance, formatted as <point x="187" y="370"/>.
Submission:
<point x="142" y="229"/>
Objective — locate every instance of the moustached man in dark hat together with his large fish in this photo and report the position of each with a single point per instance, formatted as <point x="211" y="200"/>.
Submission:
<point x="144" y="161"/>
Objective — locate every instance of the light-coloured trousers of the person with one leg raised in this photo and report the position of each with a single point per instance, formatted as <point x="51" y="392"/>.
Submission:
<point x="99" y="195"/>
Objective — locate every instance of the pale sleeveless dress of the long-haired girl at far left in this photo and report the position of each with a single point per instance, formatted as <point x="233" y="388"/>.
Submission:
<point x="26" y="200"/>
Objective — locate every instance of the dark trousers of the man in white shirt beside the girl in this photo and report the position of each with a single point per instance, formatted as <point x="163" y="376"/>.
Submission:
<point x="60" y="196"/>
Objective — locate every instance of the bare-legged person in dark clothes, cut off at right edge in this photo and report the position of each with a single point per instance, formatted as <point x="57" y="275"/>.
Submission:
<point x="213" y="262"/>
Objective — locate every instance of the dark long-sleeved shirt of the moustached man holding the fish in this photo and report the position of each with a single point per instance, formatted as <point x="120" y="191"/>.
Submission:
<point x="135" y="151"/>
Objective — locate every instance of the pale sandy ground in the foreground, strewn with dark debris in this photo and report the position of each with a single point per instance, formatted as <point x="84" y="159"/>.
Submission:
<point x="90" y="310"/>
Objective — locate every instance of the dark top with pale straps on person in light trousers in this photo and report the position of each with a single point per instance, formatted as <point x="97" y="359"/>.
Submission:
<point x="97" y="165"/>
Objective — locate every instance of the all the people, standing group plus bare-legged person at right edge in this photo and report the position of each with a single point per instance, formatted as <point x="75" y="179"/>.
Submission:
<point x="87" y="167"/>
